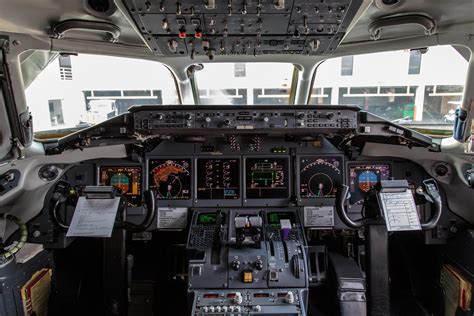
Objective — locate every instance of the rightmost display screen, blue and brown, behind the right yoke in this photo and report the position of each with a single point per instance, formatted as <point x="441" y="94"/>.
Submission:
<point x="364" y="177"/>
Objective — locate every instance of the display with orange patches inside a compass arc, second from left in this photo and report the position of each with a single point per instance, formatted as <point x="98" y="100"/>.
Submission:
<point x="170" y="178"/>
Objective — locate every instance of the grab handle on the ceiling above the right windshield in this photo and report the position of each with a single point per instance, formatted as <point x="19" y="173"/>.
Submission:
<point x="375" y="28"/>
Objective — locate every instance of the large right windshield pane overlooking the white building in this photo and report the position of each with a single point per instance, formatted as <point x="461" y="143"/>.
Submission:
<point x="410" y="87"/>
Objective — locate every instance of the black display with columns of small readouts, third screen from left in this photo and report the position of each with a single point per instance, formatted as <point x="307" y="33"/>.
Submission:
<point x="218" y="179"/>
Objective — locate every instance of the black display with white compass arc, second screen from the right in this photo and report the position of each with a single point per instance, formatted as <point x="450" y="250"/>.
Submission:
<point x="320" y="177"/>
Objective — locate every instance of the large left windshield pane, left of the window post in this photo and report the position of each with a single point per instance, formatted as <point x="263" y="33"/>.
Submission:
<point x="74" y="92"/>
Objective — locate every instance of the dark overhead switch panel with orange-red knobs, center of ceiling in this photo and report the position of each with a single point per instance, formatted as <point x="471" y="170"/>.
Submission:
<point x="257" y="27"/>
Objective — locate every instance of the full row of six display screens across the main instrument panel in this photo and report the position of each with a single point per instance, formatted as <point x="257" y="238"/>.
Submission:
<point x="245" y="180"/>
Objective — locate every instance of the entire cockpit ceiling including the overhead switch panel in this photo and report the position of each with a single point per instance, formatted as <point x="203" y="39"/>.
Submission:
<point x="254" y="27"/>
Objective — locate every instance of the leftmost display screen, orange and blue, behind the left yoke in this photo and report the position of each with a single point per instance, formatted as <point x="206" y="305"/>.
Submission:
<point x="127" y="179"/>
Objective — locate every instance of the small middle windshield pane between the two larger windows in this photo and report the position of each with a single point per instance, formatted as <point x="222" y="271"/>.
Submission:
<point x="245" y="83"/>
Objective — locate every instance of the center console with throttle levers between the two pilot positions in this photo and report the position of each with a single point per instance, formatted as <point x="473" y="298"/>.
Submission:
<point x="247" y="261"/>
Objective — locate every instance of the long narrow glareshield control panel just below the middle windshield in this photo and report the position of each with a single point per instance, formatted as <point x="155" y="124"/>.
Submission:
<point x="327" y="119"/>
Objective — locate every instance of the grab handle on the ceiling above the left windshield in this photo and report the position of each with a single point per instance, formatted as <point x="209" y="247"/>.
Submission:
<point x="112" y="31"/>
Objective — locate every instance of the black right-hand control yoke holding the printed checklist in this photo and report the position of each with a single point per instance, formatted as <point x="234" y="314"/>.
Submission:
<point x="429" y="190"/>
